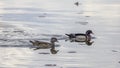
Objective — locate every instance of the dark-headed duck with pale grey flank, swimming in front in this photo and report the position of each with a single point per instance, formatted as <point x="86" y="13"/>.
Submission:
<point x="80" y="37"/>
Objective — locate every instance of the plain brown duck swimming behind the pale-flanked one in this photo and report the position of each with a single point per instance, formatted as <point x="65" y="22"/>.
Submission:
<point x="44" y="45"/>
